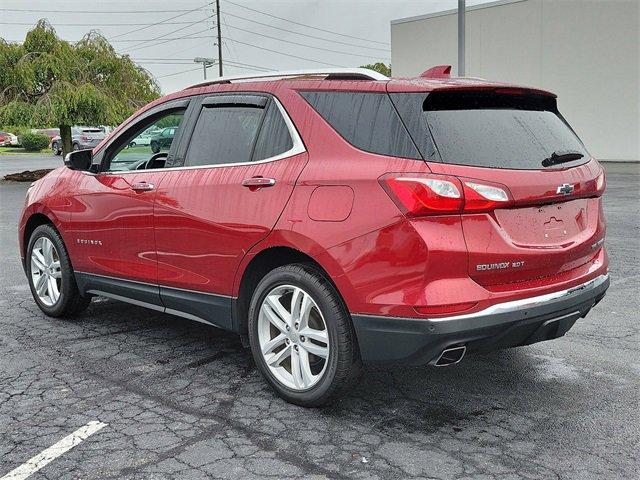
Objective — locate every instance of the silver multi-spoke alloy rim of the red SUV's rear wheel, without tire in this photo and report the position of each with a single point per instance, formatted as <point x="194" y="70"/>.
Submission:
<point x="293" y="337"/>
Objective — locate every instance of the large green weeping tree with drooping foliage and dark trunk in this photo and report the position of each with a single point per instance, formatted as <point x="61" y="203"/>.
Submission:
<point x="46" y="81"/>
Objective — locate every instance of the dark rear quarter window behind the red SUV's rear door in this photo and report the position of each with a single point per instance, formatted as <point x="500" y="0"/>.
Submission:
<point x="366" y="120"/>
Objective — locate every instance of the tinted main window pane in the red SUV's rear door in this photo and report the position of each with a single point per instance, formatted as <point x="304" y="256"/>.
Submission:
<point x="224" y="135"/>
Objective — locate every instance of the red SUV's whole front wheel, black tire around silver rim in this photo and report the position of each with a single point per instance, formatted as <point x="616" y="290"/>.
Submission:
<point x="69" y="302"/>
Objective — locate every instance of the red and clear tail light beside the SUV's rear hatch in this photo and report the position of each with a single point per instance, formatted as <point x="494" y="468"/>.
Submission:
<point x="419" y="194"/>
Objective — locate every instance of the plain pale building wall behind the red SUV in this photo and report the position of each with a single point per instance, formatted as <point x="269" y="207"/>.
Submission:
<point x="587" y="52"/>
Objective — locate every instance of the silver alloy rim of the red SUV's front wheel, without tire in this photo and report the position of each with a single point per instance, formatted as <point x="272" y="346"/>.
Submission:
<point x="46" y="275"/>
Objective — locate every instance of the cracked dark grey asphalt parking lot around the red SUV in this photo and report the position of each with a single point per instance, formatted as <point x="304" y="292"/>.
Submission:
<point x="183" y="400"/>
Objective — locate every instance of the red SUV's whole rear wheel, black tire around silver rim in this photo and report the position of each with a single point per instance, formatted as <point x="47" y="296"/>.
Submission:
<point x="335" y="374"/>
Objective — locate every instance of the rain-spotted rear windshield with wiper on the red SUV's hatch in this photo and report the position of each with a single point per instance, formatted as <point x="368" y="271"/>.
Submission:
<point x="487" y="129"/>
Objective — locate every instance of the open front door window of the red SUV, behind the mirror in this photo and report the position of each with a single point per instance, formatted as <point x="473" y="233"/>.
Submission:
<point x="147" y="145"/>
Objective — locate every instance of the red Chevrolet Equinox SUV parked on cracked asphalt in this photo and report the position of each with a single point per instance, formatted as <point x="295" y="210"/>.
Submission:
<point x="333" y="218"/>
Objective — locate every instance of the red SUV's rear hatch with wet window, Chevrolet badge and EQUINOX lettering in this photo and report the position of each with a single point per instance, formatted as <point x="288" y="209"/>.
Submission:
<point x="531" y="191"/>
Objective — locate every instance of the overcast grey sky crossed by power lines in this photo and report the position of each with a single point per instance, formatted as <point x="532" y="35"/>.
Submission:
<point x="165" y="36"/>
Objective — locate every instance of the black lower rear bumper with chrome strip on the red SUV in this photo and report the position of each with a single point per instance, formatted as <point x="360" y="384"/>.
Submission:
<point x="509" y="324"/>
